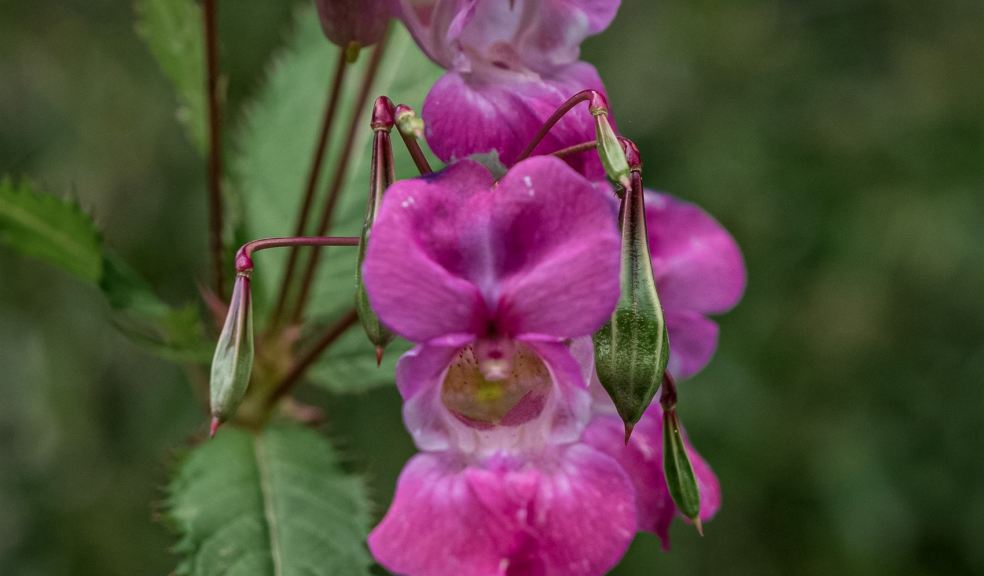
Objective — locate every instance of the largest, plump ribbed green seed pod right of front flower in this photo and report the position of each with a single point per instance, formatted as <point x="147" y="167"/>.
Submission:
<point x="632" y="349"/>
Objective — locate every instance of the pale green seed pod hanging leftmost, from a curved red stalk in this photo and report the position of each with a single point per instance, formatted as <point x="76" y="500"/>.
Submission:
<point x="233" y="360"/>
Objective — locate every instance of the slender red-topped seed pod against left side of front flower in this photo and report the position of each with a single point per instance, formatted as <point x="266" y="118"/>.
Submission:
<point x="380" y="179"/>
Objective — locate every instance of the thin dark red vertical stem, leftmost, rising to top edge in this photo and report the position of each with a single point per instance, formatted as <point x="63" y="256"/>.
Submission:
<point x="214" y="146"/>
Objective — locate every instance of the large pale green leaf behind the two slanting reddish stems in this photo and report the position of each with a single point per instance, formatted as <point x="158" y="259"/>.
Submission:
<point x="274" y="146"/>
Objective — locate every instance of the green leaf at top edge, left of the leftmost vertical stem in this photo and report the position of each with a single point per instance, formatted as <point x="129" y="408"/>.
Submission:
<point x="172" y="30"/>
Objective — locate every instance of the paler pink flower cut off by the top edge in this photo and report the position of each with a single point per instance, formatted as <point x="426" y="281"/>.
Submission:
<point x="510" y="65"/>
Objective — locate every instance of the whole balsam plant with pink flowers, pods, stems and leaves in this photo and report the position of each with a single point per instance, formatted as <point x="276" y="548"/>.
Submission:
<point x="505" y="268"/>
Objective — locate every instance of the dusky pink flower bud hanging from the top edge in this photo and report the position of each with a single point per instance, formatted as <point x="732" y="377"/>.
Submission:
<point x="353" y="24"/>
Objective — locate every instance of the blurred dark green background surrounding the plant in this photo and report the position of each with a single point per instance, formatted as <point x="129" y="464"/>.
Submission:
<point x="841" y="141"/>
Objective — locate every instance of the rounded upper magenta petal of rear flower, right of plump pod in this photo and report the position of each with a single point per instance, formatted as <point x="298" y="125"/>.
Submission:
<point x="697" y="264"/>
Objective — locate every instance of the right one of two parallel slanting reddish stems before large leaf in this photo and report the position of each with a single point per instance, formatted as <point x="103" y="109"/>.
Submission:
<point x="341" y="169"/>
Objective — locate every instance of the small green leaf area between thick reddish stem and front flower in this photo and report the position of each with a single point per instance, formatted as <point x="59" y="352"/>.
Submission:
<point x="350" y="364"/>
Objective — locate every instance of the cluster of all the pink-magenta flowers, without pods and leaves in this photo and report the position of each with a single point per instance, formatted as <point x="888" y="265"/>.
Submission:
<point x="500" y="285"/>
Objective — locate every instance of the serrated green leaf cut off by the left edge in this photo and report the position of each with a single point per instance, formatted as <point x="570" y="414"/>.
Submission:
<point x="51" y="229"/>
